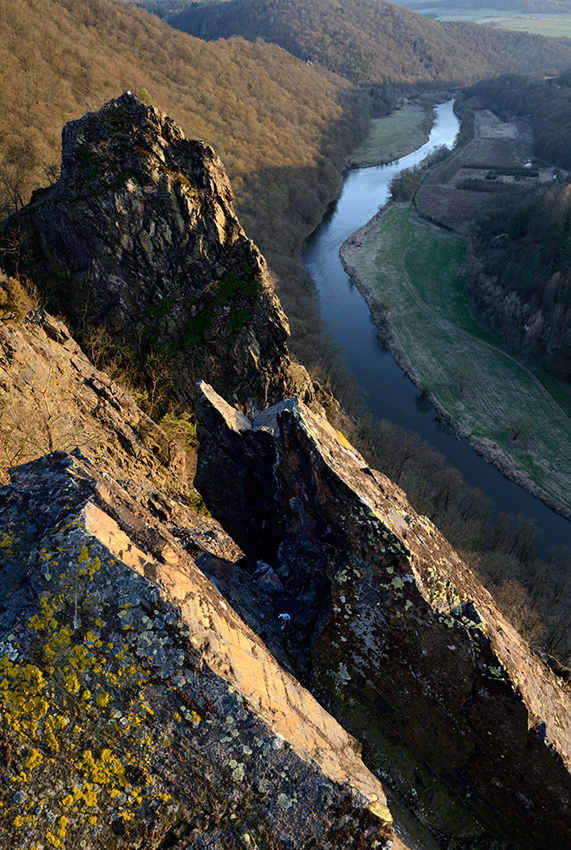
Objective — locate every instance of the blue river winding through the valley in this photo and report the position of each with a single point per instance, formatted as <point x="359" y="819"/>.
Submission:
<point x="390" y="394"/>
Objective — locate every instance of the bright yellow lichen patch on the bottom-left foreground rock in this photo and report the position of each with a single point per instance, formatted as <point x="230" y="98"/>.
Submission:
<point x="51" y="708"/>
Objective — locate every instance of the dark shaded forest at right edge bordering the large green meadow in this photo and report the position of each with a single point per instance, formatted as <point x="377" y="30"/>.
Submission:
<point x="520" y="274"/>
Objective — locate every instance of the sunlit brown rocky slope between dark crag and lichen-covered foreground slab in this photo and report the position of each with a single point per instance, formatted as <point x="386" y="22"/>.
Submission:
<point x="52" y="397"/>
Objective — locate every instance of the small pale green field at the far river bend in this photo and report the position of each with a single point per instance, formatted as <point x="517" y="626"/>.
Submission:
<point x="391" y="138"/>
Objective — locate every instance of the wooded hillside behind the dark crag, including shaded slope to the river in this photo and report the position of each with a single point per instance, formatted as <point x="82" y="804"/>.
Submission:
<point x="282" y="129"/>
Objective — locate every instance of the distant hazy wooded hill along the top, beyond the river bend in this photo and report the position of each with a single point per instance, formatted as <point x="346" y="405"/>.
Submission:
<point x="370" y="41"/>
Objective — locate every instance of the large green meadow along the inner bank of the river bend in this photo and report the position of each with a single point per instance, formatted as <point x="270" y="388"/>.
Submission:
<point x="415" y="272"/>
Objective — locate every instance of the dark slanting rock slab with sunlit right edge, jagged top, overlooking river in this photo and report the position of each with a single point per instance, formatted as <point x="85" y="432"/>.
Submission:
<point x="402" y="643"/>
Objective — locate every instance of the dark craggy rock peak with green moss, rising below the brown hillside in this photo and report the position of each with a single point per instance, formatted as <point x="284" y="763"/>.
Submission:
<point x="139" y="233"/>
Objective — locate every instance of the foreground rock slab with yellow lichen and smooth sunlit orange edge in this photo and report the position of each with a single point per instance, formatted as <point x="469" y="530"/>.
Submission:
<point x="137" y="709"/>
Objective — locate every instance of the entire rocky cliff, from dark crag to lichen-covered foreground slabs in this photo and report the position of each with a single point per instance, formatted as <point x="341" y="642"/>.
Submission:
<point x="150" y="655"/>
